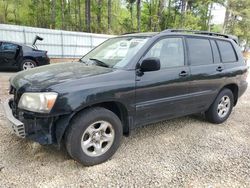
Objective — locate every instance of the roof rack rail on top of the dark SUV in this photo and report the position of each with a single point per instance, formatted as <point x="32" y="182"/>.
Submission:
<point x="235" y="38"/>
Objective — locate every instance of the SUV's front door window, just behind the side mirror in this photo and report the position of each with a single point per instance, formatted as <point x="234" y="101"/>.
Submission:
<point x="170" y="51"/>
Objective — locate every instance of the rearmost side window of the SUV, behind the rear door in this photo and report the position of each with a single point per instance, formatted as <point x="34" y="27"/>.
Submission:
<point x="227" y="52"/>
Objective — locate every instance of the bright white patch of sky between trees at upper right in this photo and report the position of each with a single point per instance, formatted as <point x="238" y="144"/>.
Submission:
<point x="218" y="13"/>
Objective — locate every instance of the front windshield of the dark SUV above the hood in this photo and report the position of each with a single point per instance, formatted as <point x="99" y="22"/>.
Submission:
<point x="115" y="52"/>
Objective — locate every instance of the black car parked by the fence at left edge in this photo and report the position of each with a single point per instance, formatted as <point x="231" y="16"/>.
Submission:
<point x="15" y="55"/>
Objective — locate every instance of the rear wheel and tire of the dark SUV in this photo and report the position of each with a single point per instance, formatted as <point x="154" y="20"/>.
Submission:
<point x="215" y="113"/>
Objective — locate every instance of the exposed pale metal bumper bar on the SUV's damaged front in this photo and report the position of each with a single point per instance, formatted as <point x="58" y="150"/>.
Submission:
<point x="14" y="124"/>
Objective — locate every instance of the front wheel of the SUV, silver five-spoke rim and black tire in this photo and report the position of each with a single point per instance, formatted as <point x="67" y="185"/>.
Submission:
<point x="85" y="128"/>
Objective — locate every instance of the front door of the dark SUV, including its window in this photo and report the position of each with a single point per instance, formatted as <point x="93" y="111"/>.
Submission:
<point x="163" y="94"/>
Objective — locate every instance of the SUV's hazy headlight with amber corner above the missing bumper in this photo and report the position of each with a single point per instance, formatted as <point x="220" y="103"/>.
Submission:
<point x="38" y="102"/>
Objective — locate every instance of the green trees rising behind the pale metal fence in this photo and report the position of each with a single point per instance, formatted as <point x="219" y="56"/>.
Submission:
<point x="155" y="15"/>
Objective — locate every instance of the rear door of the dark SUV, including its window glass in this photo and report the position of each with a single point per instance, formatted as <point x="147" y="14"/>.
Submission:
<point x="206" y="72"/>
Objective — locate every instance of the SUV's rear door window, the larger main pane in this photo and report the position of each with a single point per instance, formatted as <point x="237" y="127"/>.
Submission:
<point x="200" y="52"/>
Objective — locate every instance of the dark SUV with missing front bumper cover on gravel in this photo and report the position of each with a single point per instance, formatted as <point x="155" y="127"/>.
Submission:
<point x="124" y="83"/>
